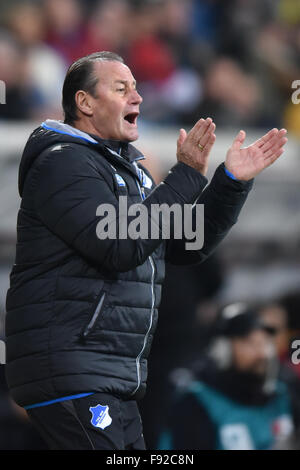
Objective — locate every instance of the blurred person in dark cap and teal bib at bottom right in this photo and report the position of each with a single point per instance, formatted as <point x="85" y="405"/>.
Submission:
<point x="233" y="398"/>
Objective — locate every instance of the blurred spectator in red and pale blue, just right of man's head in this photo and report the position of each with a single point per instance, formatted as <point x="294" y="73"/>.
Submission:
<point x="170" y="90"/>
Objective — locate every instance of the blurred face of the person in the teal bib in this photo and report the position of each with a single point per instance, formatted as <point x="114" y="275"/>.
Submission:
<point x="251" y="353"/>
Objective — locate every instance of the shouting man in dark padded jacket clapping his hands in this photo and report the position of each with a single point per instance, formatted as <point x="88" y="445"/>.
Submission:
<point x="82" y="308"/>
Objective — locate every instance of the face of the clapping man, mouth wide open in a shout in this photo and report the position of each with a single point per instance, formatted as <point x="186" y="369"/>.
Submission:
<point x="116" y="107"/>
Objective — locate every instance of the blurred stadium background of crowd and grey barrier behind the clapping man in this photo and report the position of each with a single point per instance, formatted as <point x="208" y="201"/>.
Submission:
<point x="232" y="60"/>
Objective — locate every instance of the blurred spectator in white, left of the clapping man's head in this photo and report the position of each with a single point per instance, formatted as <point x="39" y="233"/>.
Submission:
<point x="43" y="70"/>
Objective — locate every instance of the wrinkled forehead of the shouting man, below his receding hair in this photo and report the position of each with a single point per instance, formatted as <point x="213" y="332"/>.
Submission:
<point x="109" y="71"/>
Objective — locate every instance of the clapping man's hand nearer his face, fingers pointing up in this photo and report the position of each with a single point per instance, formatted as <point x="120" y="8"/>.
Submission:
<point x="194" y="148"/>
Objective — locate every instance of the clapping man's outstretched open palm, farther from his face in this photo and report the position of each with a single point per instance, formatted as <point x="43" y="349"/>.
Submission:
<point x="248" y="162"/>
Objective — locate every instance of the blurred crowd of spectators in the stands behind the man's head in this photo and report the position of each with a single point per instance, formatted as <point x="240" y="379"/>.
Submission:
<point x="190" y="57"/>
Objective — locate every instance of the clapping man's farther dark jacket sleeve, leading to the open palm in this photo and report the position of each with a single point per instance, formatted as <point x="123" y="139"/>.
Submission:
<point x="223" y="200"/>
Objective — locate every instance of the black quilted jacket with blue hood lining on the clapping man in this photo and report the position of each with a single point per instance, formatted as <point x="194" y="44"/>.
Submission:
<point x="81" y="311"/>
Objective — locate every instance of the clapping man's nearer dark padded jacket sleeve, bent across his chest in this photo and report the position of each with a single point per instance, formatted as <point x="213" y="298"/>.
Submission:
<point x="69" y="189"/>
